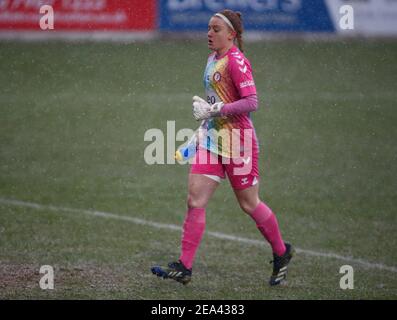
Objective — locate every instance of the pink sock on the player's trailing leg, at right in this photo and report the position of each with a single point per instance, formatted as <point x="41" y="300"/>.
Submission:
<point x="267" y="224"/>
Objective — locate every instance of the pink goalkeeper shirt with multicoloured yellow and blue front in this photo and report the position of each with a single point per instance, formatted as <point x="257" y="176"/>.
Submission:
<point x="228" y="78"/>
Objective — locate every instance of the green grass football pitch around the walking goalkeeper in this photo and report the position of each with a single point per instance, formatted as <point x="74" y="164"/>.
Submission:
<point x="72" y="125"/>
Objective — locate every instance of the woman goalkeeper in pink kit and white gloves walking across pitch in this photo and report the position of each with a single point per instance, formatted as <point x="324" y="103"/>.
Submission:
<point x="227" y="146"/>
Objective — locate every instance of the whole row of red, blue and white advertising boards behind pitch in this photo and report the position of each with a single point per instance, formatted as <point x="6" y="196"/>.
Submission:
<point x="369" y="17"/>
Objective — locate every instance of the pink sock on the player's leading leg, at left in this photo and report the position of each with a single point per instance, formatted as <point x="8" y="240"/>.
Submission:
<point x="193" y="230"/>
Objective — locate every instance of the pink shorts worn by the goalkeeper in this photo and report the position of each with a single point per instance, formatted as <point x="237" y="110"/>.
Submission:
<point x="242" y="172"/>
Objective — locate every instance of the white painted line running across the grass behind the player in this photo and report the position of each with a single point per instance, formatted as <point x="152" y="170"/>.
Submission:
<point x="217" y="235"/>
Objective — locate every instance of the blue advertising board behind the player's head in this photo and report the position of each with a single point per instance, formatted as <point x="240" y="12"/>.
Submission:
<point x="258" y="15"/>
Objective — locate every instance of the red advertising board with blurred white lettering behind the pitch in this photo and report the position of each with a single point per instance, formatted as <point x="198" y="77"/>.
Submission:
<point x="81" y="15"/>
